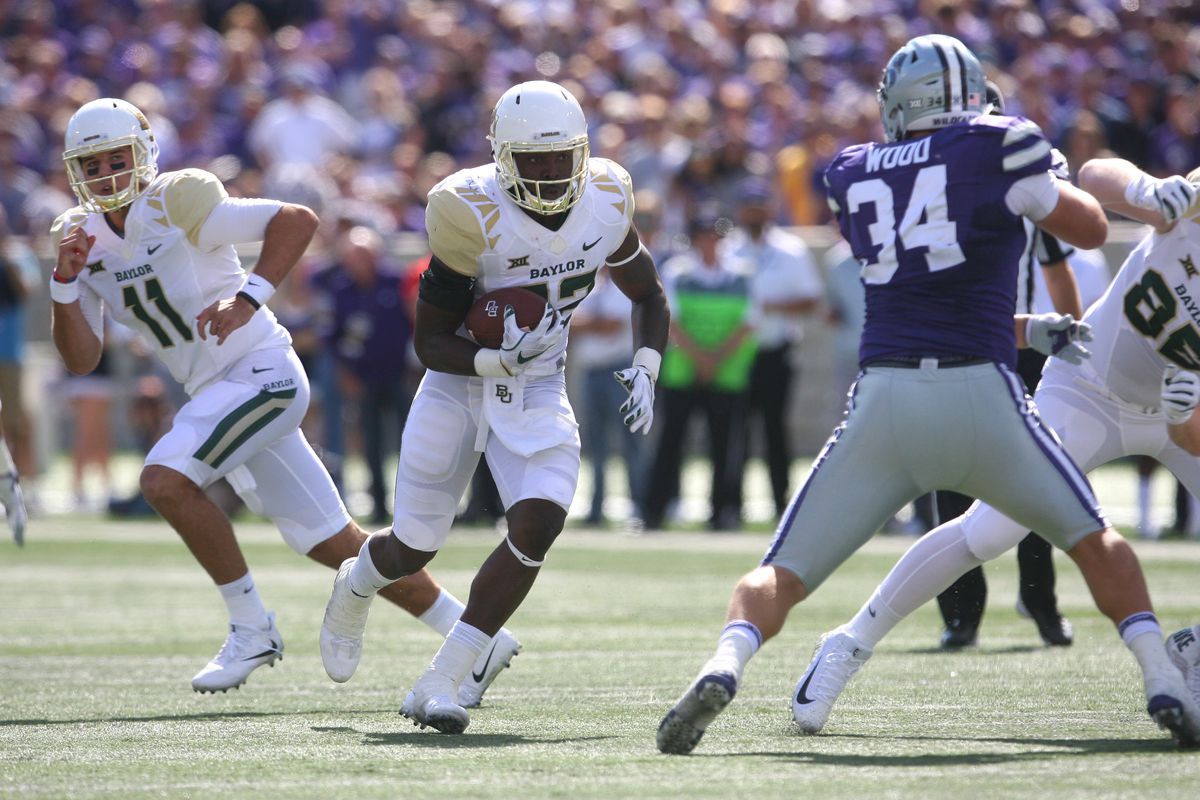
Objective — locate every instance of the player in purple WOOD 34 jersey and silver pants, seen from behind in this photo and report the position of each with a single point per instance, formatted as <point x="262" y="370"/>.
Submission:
<point x="935" y="218"/>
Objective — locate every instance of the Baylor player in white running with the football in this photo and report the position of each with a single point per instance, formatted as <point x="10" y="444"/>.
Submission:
<point x="547" y="216"/>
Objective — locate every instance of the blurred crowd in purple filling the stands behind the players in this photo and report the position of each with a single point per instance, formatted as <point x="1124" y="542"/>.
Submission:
<point x="358" y="107"/>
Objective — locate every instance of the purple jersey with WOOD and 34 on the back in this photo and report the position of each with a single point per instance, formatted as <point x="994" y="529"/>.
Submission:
<point x="939" y="246"/>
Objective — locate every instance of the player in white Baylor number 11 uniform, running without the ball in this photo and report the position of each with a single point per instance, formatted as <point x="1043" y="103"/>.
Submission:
<point x="158" y="254"/>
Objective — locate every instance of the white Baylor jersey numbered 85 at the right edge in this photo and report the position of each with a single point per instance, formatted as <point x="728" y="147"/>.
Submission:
<point x="1149" y="317"/>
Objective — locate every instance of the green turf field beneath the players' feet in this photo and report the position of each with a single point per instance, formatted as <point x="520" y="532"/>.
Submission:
<point x="103" y="624"/>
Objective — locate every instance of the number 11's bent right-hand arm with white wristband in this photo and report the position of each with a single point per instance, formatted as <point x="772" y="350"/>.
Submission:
<point x="286" y="240"/>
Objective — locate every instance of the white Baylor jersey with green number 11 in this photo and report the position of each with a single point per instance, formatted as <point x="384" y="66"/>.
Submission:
<point x="157" y="280"/>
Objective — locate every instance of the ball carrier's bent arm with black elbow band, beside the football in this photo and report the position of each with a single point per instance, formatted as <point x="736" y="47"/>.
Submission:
<point x="446" y="297"/>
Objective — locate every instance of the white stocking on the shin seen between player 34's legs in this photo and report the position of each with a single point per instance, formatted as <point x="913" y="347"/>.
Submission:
<point x="935" y="561"/>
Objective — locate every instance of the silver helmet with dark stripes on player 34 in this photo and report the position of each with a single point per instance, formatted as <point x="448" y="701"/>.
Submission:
<point x="932" y="82"/>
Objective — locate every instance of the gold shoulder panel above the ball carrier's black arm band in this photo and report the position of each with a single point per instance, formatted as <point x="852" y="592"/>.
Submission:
<point x="457" y="226"/>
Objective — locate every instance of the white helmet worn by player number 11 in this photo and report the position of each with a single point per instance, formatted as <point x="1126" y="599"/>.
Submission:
<point x="105" y="125"/>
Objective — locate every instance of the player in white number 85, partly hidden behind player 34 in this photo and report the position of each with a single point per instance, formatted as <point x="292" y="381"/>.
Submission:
<point x="1137" y="395"/>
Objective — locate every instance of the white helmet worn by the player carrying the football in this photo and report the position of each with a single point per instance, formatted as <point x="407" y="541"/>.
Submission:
<point x="539" y="117"/>
